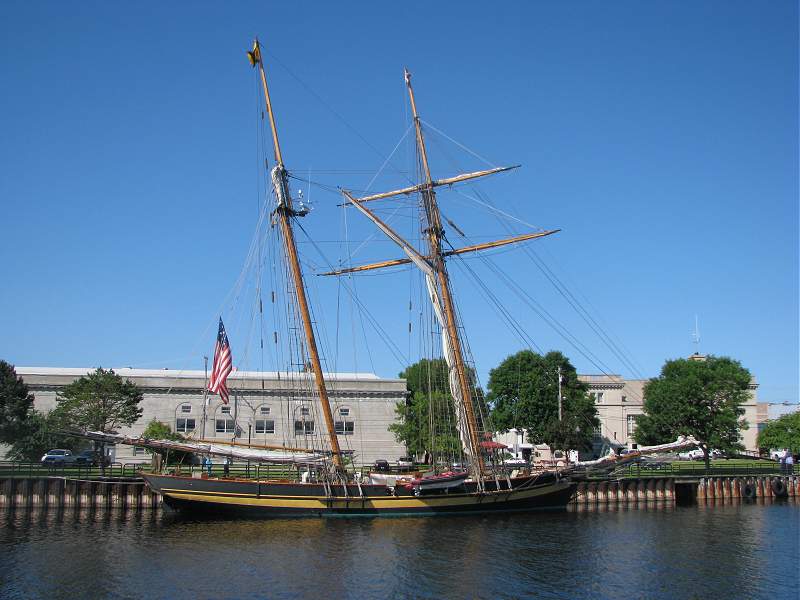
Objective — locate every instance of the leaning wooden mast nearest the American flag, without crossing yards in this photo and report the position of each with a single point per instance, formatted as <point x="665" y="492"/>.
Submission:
<point x="285" y="214"/>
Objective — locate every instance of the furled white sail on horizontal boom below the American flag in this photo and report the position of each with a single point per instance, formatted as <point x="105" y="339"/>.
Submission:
<point x="277" y="456"/>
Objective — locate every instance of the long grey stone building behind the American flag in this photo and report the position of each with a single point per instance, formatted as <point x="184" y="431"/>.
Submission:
<point x="265" y="408"/>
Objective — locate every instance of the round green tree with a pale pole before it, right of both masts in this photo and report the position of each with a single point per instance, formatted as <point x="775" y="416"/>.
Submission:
<point x="523" y="393"/>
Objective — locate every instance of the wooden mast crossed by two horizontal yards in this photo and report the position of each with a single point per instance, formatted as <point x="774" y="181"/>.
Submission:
<point x="435" y="233"/>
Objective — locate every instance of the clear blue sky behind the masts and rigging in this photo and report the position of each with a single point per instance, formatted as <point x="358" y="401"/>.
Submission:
<point x="661" y="137"/>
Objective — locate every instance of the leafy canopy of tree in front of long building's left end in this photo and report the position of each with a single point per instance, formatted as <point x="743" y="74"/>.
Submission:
<point x="100" y="401"/>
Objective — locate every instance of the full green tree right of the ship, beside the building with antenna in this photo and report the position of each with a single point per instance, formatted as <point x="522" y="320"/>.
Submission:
<point x="702" y="398"/>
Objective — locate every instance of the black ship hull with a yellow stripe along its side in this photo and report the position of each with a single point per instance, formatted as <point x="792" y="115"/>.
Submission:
<point x="278" y="499"/>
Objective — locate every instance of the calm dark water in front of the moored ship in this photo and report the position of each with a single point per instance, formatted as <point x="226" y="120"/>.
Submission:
<point x="723" y="551"/>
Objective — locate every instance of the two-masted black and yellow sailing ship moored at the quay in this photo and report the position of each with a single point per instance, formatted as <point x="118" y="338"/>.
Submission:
<point x="330" y="485"/>
